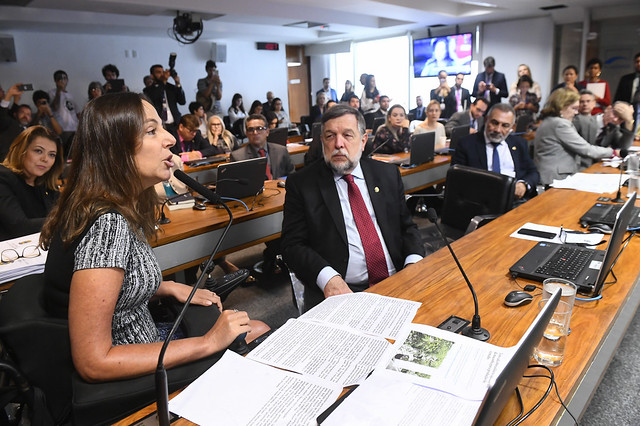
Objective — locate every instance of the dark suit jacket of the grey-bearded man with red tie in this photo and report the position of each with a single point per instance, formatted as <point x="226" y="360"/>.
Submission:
<point x="313" y="231"/>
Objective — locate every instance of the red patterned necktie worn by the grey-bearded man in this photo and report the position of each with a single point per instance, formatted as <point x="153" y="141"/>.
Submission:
<point x="373" y="252"/>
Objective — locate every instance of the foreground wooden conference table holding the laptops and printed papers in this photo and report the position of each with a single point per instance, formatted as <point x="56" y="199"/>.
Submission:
<point x="486" y="255"/>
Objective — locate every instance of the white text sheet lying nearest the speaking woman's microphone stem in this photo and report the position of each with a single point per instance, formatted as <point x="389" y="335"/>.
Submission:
<point x="236" y="391"/>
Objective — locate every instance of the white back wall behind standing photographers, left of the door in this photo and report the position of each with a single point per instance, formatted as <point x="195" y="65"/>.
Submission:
<point x="247" y="70"/>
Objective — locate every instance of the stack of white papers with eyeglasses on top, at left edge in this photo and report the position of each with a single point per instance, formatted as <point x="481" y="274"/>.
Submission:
<point x="23" y="265"/>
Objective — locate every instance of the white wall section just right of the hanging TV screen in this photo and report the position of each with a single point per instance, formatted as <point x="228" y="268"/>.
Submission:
<point x="524" y="41"/>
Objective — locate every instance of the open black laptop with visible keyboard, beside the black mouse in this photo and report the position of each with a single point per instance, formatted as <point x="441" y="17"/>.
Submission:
<point x="587" y="268"/>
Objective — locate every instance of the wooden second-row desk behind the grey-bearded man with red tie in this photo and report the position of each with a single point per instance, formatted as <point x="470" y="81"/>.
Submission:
<point x="191" y="234"/>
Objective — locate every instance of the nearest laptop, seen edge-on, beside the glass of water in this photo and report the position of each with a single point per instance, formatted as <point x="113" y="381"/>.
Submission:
<point x="503" y="386"/>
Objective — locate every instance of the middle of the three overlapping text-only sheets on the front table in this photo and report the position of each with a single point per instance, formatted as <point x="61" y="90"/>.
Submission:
<point x="339" y="355"/>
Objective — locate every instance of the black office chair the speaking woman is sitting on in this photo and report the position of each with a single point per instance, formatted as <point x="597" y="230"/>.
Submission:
<point x="38" y="348"/>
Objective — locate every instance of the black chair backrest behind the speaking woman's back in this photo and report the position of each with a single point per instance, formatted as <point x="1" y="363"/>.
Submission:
<point x="37" y="342"/>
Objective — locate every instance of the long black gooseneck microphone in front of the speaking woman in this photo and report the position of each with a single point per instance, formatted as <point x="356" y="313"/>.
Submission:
<point x="162" y="384"/>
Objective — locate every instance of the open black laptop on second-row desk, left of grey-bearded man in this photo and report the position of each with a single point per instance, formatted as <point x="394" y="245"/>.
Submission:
<point x="241" y="179"/>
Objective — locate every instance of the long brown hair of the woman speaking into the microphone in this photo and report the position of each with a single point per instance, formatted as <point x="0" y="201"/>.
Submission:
<point x="103" y="173"/>
